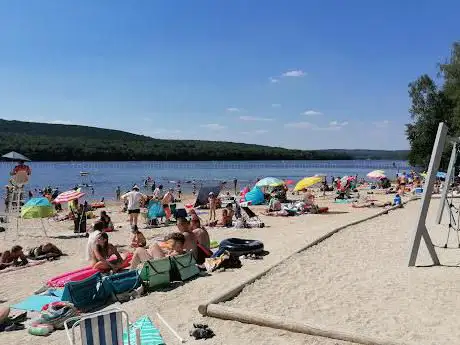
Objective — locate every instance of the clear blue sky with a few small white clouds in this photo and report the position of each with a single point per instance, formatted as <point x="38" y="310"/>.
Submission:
<point x="298" y="74"/>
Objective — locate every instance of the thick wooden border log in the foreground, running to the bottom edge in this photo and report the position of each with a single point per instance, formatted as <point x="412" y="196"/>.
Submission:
<point x="265" y="320"/>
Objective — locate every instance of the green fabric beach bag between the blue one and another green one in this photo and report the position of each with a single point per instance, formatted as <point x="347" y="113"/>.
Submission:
<point x="156" y="273"/>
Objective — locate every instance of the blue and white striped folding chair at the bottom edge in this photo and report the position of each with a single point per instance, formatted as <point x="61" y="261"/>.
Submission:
<point x="101" y="328"/>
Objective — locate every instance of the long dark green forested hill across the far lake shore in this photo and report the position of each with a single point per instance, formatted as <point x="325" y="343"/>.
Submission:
<point x="56" y="142"/>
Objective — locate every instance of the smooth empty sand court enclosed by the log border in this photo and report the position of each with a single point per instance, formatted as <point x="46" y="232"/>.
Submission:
<point x="358" y="281"/>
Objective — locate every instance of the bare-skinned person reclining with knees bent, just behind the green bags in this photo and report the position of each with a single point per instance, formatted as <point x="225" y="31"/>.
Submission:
<point x="171" y="246"/>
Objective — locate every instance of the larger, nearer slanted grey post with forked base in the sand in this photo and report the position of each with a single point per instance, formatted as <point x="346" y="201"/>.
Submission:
<point x="420" y="227"/>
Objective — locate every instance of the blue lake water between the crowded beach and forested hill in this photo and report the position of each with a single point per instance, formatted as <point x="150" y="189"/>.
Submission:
<point x="106" y="176"/>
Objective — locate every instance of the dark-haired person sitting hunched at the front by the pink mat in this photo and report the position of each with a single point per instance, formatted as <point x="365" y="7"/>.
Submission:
<point x="102" y="252"/>
